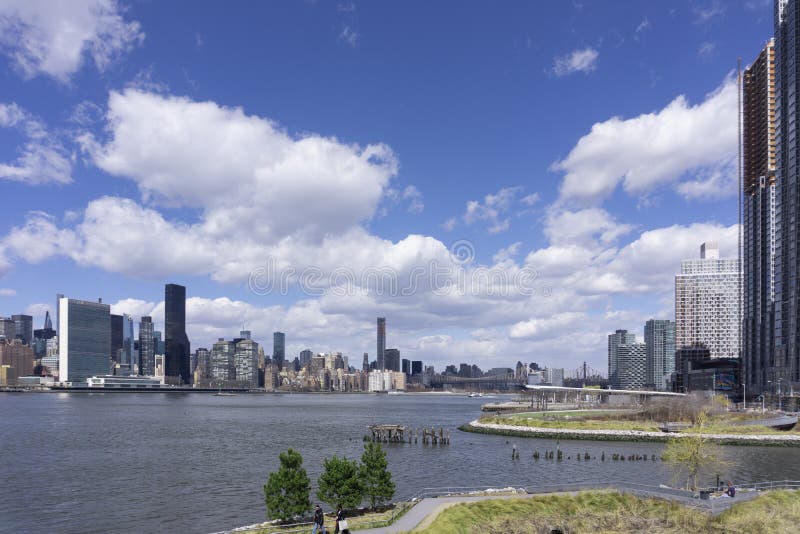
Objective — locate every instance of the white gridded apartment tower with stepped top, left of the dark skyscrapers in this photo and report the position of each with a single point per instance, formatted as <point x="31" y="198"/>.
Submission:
<point x="707" y="303"/>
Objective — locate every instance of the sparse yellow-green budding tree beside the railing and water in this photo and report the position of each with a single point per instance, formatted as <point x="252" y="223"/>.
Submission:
<point x="693" y="455"/>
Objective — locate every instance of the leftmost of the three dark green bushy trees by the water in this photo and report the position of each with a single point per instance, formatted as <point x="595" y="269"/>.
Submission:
<point x="286" y="492"/>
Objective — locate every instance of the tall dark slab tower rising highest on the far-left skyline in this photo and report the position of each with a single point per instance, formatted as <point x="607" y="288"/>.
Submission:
<point x="176" y="357"/>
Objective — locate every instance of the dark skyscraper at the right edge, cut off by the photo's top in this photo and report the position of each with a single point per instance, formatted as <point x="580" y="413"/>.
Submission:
<point x="786" y="365"/>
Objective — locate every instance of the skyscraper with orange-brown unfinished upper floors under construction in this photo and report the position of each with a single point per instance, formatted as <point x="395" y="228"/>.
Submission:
<point x="759" y="209"/>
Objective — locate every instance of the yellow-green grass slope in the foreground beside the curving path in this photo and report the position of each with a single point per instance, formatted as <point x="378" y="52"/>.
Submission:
<point x="598" y="511"/>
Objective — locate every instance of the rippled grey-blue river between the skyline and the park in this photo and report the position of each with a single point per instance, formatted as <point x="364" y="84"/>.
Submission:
<point x="154" y="462"/>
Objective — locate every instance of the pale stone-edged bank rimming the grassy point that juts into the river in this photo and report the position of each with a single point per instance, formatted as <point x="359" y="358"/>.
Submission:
<point x="476" y="426"/>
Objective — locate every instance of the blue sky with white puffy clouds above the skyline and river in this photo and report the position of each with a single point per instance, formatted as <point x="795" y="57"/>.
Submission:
<point x="592" y="143"/>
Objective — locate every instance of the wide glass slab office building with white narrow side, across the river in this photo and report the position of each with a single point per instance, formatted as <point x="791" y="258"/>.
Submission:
<point x="84" y="340"/>
